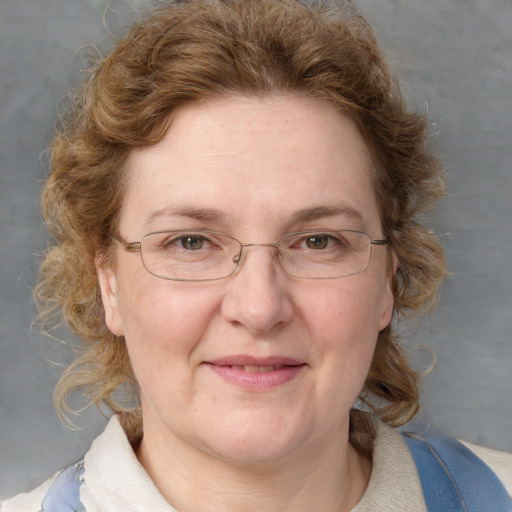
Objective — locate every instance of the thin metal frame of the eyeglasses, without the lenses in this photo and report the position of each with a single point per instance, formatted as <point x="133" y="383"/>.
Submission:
<point x="137" y="247"/>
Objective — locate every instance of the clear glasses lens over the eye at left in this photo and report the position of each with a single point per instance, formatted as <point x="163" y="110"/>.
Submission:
<point x="189" y="255"/>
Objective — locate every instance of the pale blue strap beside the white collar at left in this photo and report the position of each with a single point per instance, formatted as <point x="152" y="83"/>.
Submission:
<point x="64" y="493"/>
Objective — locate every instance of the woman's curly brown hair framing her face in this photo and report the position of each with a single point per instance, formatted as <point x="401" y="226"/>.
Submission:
<point x="187" y="51"/>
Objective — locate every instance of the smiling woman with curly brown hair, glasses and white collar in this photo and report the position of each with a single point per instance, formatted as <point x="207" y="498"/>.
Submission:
<point x="235" y="202"/>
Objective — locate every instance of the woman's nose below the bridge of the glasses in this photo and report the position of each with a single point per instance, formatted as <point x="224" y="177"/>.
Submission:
<point x="257" y="295"/>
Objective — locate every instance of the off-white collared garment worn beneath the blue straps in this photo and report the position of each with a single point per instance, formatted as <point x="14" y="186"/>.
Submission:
<point x="115" y="481"/>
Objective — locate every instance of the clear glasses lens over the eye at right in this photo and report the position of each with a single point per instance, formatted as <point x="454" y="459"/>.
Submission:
<point x="324" y="254"/>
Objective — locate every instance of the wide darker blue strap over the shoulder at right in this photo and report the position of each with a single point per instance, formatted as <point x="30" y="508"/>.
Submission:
<point x="453" y="478"/>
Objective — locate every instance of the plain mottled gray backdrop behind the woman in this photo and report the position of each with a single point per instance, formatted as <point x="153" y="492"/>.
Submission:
<point x="454" y="55"/>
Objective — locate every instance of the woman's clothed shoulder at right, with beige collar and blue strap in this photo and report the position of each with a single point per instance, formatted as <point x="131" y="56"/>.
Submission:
<point x="430" y="468"/>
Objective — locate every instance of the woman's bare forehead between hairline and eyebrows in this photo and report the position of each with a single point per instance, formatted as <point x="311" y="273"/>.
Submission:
<point x="251" y="160"/>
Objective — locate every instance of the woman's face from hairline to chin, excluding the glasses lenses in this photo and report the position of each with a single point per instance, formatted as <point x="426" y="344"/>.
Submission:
<point x="205" y="353"/>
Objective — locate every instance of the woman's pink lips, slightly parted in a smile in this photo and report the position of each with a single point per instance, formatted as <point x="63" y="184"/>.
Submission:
<point x="254" y="373"/>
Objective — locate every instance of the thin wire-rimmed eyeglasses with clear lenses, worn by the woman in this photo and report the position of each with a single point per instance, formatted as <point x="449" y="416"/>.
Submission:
<point x="189" y="255"/>
